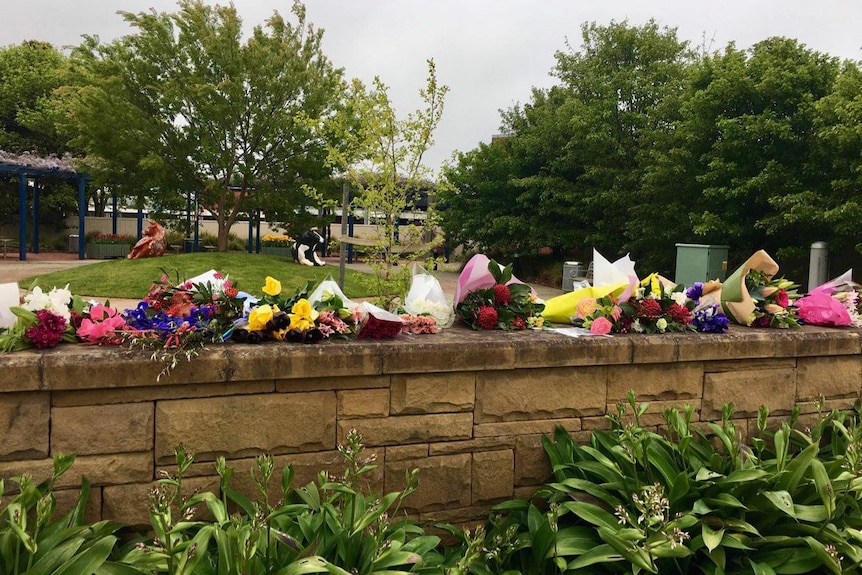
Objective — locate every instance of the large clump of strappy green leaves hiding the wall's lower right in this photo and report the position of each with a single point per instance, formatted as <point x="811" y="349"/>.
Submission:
<point x="635" y="501"/>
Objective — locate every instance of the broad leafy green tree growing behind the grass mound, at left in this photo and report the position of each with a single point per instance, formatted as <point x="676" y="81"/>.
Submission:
<point x="185" y="105"/>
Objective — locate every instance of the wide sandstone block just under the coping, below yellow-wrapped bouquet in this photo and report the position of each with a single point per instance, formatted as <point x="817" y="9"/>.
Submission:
<point x="554" y="393"/>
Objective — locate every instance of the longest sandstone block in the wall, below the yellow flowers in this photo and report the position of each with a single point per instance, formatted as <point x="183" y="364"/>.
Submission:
<point x="247" y="425"/>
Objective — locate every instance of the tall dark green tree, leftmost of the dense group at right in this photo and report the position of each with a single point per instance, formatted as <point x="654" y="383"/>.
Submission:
<point x="579" y="148"/>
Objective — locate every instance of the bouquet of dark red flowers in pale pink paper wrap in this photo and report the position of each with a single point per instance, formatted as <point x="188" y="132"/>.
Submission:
<point x="495" y="299"/>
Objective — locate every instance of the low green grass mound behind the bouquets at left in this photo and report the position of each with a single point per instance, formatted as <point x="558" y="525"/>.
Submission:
<point x="132" y="278"/>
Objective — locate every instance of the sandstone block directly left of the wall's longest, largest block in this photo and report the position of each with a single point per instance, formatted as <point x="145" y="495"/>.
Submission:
<point x="119" y="428"/>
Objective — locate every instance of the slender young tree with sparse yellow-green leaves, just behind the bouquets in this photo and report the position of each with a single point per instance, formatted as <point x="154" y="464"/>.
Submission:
<point x="381" y="156"/>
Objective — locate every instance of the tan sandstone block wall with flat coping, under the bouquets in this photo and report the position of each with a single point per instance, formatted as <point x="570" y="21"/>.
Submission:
<point x="466" y="408"/>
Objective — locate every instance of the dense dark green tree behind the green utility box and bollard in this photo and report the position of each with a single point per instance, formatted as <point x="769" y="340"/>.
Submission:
<point x="750" y="123"/>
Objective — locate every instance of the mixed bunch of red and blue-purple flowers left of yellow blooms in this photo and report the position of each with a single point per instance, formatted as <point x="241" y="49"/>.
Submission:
<point x="180" y="319"/>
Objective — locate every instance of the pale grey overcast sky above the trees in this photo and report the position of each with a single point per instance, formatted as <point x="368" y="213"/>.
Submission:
<point x="489" y="52"/>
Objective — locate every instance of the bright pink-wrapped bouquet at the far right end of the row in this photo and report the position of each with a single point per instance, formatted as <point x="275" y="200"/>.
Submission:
<point x="834" y="304"/>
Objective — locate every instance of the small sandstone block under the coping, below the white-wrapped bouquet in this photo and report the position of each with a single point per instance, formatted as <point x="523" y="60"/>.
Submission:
<point x="433" y="393"/>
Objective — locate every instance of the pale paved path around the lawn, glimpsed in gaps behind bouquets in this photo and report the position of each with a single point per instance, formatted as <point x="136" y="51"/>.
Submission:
<point x="14" y="270"/>
